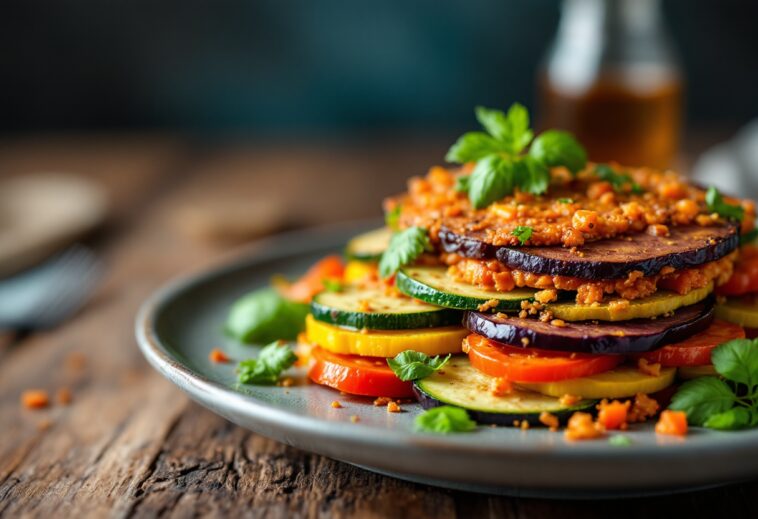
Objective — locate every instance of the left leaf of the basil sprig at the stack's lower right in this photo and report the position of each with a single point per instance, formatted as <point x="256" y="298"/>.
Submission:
<point x="702" y="397"/>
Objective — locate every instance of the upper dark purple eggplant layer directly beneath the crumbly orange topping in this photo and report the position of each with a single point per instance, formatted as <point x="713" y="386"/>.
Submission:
<point x="686" y="246"/>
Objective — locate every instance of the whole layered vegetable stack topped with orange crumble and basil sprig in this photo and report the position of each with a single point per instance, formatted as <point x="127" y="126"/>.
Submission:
<point x="563" y="283"/>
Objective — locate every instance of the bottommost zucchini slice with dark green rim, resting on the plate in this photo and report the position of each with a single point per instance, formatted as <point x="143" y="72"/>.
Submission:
<point x="460" y="385"/>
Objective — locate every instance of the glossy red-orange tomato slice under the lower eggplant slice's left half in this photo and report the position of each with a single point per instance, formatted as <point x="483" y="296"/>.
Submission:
<point x="518" y="364"/>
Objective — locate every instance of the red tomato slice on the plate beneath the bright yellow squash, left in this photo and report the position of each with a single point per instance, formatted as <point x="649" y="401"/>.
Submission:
<point x="366" y="376"/>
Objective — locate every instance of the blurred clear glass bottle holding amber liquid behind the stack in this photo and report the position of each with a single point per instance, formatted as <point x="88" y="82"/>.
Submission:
<point x="611" y="77"/>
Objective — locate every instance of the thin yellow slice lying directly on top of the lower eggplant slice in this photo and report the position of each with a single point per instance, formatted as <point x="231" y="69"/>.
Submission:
<point x="652" y="306"/>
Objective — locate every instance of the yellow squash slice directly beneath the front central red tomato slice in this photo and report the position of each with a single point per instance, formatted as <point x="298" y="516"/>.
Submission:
<point x="624" y="381"/>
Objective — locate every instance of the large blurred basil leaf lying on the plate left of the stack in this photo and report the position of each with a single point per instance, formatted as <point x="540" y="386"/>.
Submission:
<point x="263" y="316"/>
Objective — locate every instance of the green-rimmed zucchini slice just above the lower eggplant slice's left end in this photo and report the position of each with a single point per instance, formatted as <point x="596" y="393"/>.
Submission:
<point x="434" y="286"/>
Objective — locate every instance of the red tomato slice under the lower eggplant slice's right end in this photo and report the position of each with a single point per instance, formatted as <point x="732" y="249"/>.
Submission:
<point x="696" y="351"/>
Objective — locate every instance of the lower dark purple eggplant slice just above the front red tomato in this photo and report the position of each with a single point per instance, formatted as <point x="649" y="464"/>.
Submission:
<point x="623" y="337"/>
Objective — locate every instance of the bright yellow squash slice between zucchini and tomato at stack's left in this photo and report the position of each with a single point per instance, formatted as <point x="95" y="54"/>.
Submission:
<point x="384" y="343"/>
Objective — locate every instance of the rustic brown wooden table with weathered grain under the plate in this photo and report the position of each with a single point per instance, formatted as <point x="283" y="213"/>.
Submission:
<point x="131" y="444"/>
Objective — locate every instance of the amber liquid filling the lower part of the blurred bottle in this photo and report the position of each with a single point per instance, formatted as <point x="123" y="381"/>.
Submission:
<point x="617" y="120"/>
